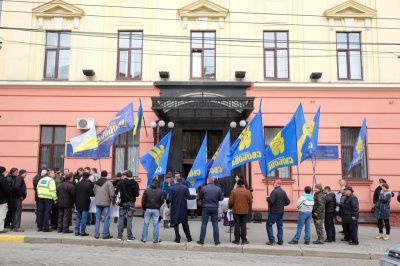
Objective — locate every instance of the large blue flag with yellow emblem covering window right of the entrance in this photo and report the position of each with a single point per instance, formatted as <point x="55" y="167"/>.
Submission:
<point x="283" y="151"/>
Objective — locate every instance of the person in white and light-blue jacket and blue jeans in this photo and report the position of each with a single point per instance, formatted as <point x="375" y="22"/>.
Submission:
<point x="305" y="205"/>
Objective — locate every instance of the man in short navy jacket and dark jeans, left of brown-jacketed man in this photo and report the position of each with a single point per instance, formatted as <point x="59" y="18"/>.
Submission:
<point x="211" y="195"/>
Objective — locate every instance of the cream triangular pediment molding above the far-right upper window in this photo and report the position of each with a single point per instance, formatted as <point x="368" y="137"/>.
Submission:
<point x="350" y="9"/>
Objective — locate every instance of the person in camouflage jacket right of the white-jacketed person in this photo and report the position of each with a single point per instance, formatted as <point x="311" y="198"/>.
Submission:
<point x="319" y="213"/>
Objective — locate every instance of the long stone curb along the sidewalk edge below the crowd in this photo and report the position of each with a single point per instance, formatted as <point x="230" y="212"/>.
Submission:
<point x="227" y="248"/>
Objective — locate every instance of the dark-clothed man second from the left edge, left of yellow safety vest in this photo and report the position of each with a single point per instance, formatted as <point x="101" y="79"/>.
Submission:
<point x="18" y="195"/>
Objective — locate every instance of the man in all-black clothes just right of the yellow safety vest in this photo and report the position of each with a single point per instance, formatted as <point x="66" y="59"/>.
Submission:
<point x="66" y="196"/>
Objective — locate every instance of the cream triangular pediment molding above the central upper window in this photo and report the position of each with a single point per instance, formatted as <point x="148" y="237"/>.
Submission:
<point x="203" y="8"/>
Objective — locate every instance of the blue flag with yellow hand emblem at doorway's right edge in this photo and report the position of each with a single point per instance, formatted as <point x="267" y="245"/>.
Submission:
<point x="249" y="146"/>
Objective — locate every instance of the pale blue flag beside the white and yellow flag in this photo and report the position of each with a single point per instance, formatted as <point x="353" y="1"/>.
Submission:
<point x="121" y="123"/>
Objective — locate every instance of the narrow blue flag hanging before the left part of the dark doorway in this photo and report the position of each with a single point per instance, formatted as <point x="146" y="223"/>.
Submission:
<point x="198" y="173"/>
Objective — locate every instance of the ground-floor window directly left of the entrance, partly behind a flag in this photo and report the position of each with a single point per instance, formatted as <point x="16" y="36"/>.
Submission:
<point x="126" y="153"/>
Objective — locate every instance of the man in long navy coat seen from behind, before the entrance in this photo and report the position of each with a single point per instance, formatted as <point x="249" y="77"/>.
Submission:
<point x="178" y="196"/>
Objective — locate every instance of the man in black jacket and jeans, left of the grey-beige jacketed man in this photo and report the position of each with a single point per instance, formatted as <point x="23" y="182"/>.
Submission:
<point x="83" y="192"/>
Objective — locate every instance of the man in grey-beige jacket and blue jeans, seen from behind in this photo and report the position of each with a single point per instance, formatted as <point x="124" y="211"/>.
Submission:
<point x="105" y="194"/>
